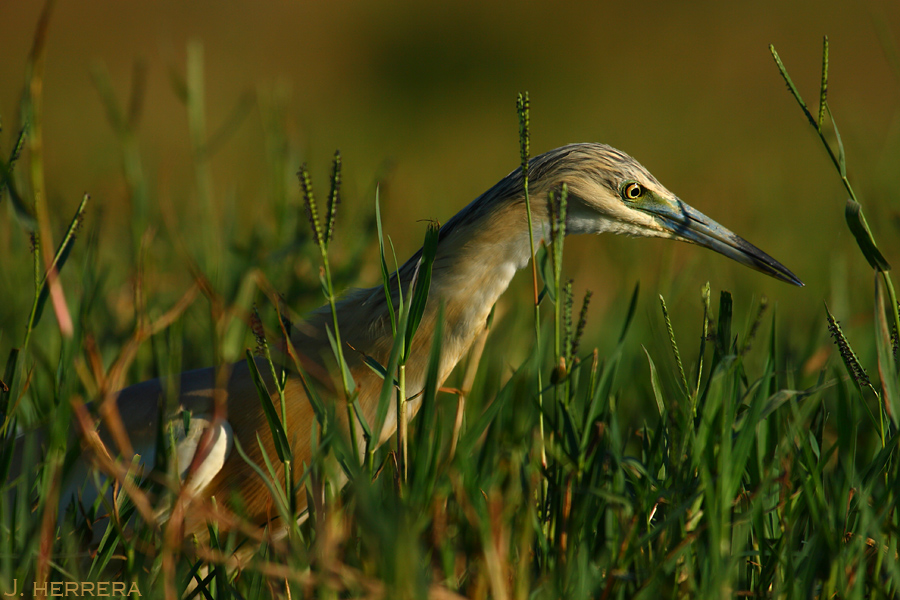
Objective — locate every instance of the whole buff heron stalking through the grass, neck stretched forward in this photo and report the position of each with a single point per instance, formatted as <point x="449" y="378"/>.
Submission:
<point x="479" y="251"/>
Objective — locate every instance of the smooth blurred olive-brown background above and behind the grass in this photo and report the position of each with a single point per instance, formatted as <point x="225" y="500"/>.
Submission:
<point x="422" y="97"/>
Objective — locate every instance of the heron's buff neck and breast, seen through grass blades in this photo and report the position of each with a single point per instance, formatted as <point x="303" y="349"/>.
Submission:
<point x="479" y="252"/>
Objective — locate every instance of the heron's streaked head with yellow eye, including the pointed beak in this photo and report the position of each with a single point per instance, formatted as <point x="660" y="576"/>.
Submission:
<point x="611" y="192"/>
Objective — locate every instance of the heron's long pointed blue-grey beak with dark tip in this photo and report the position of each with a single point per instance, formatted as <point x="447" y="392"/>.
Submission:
<point x="690" y="225"/>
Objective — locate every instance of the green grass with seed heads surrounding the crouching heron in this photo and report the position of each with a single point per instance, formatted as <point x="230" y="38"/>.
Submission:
<point x="737" y="475"/>
